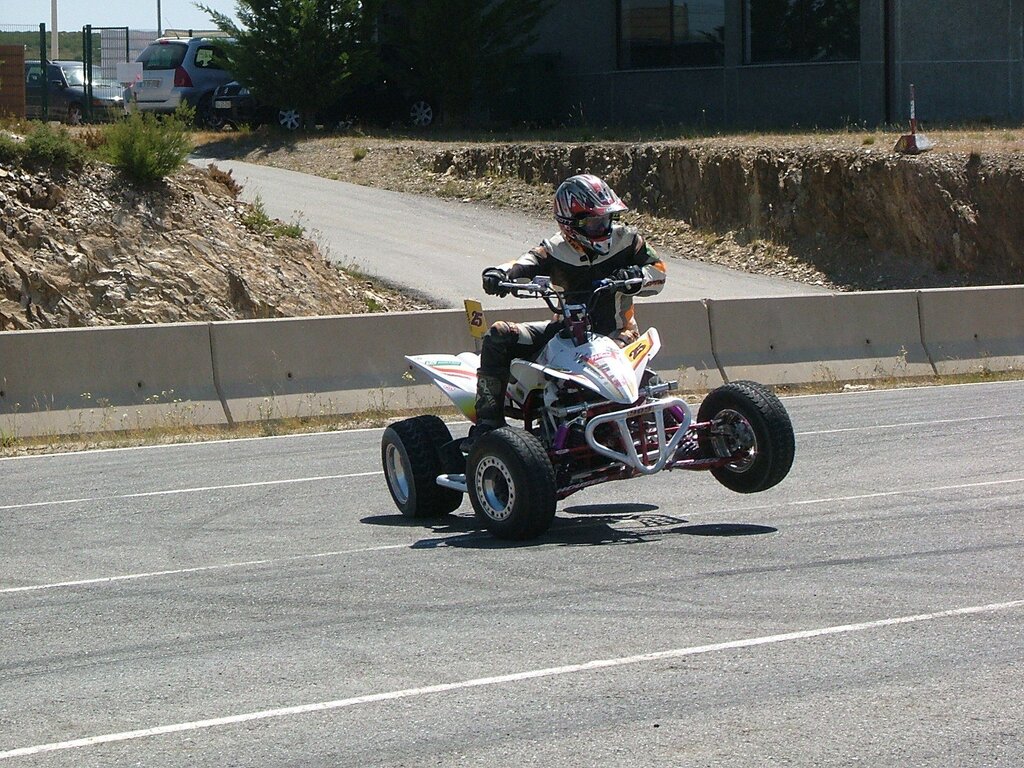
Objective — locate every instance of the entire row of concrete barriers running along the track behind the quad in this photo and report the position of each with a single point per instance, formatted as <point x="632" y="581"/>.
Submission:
<point x="104" y="379"/>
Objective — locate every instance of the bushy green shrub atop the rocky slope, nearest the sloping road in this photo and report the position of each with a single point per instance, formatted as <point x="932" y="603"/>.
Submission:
<point x="147" y="149"/>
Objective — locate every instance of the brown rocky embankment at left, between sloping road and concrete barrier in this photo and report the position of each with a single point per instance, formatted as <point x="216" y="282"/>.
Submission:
<point x="90" y="249"/>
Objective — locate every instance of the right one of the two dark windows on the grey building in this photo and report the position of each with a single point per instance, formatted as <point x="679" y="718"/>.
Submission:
<point x="780" y="31"/>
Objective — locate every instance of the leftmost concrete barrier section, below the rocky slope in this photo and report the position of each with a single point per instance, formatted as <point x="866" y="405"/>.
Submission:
<point x="73" y="381"/>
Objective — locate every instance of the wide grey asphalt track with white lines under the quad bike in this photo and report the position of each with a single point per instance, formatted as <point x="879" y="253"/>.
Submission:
<point x="261" y="604"/>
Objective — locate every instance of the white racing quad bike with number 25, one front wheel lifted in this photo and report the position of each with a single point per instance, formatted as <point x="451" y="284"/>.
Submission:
<point x="591" y="412"/>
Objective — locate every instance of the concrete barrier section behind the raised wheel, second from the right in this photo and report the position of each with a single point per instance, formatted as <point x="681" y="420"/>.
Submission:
<point x="820" y="338"/>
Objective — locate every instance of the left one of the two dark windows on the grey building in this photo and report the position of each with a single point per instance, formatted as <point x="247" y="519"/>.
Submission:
<point x="671" y="33"/>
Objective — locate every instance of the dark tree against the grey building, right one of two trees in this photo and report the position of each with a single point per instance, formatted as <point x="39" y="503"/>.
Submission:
<point x="465" y="52"/>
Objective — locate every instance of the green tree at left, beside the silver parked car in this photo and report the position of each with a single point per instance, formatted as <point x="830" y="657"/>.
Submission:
<point x="295" y="54"/>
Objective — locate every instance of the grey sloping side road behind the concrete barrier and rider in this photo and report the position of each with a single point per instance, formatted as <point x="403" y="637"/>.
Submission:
<point x="439" y="248"/>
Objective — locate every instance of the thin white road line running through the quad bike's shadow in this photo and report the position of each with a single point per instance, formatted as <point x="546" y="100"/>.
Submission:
<point x="292" y="559"/>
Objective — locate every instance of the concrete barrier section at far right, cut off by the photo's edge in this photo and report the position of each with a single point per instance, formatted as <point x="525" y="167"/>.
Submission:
<point x="974" y="329"/>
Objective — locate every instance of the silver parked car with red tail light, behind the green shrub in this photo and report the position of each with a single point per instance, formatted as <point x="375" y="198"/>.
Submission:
<point x="178" y="71"/>
